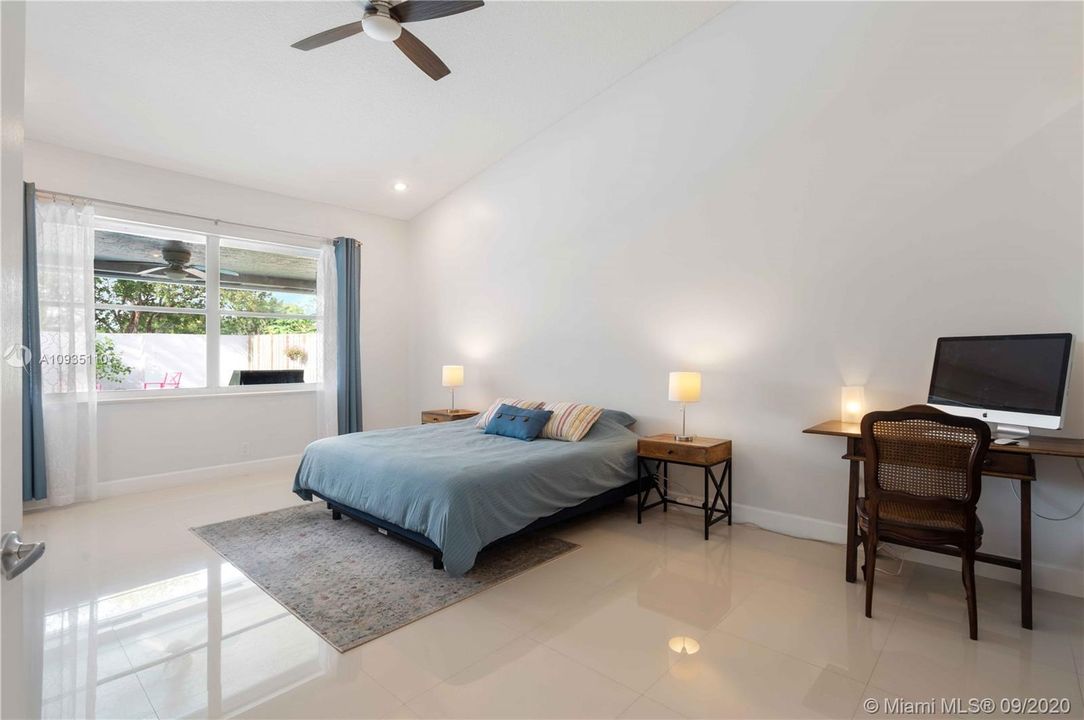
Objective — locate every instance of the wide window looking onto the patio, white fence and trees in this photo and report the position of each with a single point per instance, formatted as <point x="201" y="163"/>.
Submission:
<point x="176" y="310"/>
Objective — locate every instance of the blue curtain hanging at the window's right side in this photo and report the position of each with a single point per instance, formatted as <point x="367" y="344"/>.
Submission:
<point x="349" y="339"/>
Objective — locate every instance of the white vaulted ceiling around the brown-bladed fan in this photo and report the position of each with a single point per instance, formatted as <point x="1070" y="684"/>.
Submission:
<point x="214" y="89"/>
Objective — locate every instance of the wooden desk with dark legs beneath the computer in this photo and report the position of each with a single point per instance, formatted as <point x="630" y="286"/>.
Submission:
<point x="1015" y="462"/>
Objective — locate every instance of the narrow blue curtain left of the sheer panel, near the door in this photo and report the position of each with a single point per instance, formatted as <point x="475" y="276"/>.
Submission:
<point x="34" y="438"/>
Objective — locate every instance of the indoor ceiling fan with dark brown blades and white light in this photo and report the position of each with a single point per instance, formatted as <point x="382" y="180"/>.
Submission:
<point x="383" y="21"/>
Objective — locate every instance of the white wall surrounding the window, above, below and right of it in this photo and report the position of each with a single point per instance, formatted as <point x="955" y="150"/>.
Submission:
<point x="171" y="435"/>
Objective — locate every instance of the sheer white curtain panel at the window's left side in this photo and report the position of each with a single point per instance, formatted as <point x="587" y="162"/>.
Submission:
<point x="67" y="308"/>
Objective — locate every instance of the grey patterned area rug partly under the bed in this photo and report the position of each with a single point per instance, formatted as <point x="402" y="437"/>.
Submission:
<point x="349" y="583"/>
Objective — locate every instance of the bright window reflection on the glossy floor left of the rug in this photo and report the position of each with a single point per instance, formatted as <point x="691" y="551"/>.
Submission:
<point x="204" y="644"/>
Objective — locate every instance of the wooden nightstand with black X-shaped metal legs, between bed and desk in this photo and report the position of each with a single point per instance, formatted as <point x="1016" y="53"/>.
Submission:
<point x="706" y="453"/>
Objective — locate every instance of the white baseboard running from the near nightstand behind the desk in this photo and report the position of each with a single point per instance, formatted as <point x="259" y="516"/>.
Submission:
<point x="1055" y="578"/>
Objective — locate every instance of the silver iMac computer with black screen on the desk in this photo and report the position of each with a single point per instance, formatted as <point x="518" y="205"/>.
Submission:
<point x="1015" y="382"/>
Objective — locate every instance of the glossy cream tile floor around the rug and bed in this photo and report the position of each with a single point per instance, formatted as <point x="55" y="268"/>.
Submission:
<point x="140" y="620"/>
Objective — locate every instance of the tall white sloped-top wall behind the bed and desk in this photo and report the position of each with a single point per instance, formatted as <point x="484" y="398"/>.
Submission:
<point x="793" y="199"/>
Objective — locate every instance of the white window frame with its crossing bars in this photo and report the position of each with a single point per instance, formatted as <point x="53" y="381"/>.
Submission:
<point x="213" y="314"/>
